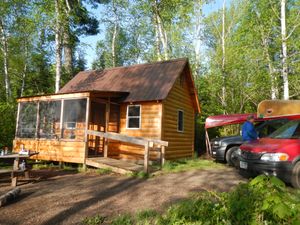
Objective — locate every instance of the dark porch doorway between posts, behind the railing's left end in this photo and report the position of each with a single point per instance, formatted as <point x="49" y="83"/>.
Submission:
<point x="97" y="123"/>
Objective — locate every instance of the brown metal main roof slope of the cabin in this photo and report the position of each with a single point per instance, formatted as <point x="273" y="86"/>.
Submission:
<point x="144" y="82"/>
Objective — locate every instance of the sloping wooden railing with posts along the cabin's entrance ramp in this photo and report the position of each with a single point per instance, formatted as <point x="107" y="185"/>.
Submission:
<point x="146" y="142"/>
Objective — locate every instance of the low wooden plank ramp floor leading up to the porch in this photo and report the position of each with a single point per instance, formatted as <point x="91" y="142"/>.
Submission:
<point x="117" y="166"/>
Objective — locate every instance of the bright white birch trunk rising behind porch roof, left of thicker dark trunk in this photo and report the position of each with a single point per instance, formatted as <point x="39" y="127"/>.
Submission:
<point x="58" y="47"/>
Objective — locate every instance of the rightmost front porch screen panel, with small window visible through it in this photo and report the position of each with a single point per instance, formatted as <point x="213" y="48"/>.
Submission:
<point x="74" y="118"/>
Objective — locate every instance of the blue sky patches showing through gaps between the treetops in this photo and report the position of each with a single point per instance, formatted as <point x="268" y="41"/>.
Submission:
<point x="88" y="43"/>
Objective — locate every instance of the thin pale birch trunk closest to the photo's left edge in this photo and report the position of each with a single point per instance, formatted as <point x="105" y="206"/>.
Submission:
<point x="5" y="60"/>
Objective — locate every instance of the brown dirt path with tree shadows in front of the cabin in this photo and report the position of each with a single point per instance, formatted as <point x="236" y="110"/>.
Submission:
<point x="69" y="198"/>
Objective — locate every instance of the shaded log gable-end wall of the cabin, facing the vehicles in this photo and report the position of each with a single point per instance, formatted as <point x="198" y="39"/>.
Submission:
<point x="181" y="144"/>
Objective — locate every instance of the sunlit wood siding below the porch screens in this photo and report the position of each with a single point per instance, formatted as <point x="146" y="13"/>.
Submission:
<point x="54" y="150"/>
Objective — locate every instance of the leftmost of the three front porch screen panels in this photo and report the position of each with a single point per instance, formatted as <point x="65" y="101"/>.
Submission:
<point x="27" y="120"/>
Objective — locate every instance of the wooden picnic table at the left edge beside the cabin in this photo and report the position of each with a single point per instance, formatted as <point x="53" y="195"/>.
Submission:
<point x="16" y="170"/>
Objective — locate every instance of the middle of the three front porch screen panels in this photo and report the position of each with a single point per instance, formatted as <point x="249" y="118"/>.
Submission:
<point x="49" y="119"/>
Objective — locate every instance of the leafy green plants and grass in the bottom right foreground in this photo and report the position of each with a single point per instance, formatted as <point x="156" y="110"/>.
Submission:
<point x="264" y="200"/>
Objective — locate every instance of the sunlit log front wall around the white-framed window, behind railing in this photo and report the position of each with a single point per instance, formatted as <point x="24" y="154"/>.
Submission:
<point x="151" y="113"/>
